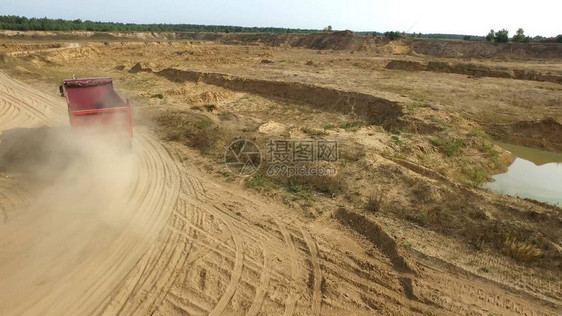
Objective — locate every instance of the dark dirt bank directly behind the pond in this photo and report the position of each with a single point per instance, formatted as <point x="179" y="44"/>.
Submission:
<point x="544" y="134"/>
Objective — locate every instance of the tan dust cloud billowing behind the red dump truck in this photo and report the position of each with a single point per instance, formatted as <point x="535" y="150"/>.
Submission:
<point x="79" y="191"/>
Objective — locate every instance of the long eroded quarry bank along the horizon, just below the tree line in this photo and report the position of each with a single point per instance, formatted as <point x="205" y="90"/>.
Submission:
<point x="344" y="40"/>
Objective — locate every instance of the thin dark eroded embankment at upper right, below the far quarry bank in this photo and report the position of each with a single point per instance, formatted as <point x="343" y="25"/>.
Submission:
<point x="476" y="70"/>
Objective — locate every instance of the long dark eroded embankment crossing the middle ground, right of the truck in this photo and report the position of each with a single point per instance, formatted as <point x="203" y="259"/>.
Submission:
<point x="373" y="110"/>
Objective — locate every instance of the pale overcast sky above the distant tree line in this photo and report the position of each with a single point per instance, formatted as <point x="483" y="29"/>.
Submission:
<point x="476" y="17"/>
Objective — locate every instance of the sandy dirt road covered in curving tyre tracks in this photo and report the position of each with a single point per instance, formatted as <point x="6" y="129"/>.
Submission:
<point x="165" y="239"/>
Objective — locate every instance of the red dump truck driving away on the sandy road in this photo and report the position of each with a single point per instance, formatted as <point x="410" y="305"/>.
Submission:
<point x="95" y="108"/>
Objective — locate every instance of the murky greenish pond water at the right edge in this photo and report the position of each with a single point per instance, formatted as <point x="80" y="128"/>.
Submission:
<point x="535" y="174"/>
